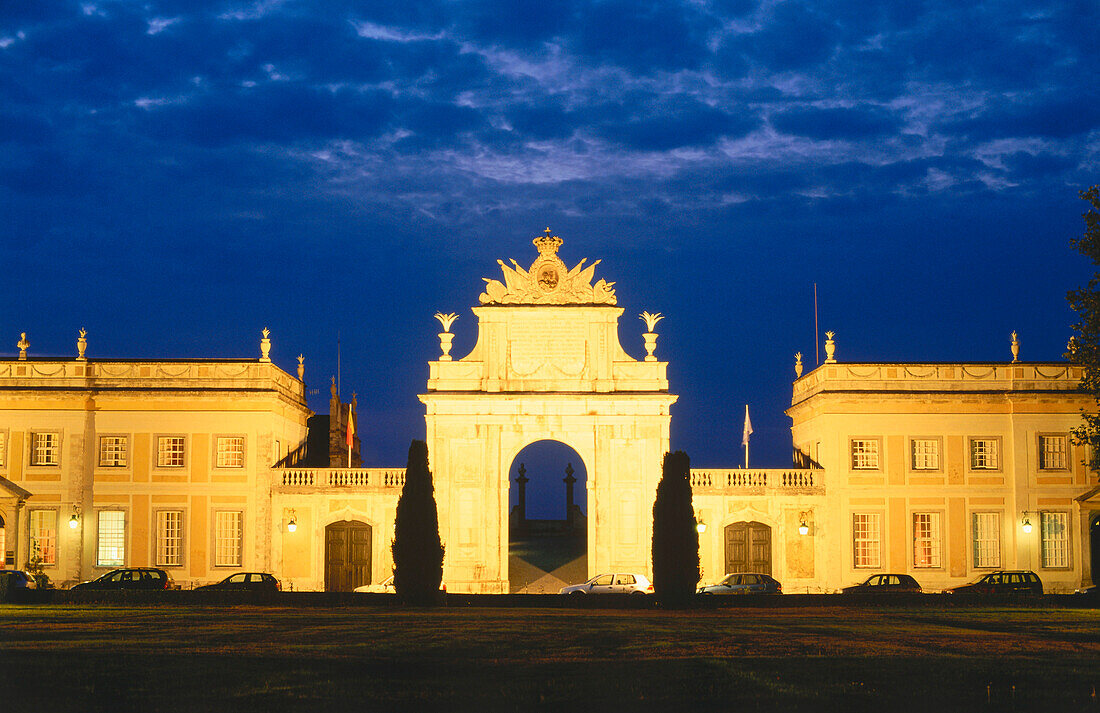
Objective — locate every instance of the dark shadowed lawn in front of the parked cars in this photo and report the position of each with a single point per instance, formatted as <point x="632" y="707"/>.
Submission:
<point x="383" y="659"/>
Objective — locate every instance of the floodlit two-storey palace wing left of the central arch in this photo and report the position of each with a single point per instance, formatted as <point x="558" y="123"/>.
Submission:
<point x="152" y="463"/>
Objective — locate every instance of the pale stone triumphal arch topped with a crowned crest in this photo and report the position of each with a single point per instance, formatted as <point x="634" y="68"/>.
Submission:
<point x="547" y="365"/>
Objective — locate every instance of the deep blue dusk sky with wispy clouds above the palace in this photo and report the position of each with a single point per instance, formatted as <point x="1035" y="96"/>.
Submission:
<point x="175" y="177"/>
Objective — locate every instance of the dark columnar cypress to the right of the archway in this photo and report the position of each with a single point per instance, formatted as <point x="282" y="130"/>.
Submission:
<point x="676" y="541"/>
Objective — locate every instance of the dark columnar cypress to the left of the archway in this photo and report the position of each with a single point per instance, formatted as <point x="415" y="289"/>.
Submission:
<point x="419" y="554"/>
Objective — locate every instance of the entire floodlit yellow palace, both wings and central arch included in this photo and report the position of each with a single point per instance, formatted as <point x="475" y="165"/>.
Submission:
<point x="207" y="467"/>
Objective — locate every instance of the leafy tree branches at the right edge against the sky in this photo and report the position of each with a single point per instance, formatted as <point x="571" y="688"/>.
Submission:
<point x="1084" y="347"/>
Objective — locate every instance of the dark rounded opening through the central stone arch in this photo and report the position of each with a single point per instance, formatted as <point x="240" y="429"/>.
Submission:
<point x="547" y="519"/>
